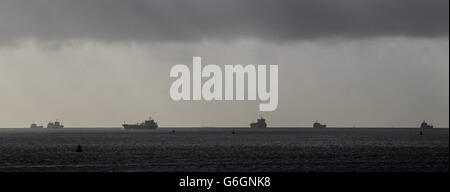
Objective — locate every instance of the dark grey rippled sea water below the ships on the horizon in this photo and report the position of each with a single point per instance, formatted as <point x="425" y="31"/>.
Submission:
<point x="215" y="149"/>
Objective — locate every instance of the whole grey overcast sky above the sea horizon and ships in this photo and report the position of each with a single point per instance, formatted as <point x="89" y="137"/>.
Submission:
<point x="97" y="63"/>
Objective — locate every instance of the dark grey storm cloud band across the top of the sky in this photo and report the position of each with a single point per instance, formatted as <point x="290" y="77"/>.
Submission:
<point x="170" y="20"/>
